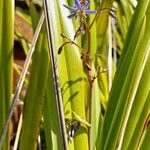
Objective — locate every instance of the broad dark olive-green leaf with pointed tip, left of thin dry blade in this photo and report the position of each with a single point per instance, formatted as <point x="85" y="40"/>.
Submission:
<point x="35" y="97"/>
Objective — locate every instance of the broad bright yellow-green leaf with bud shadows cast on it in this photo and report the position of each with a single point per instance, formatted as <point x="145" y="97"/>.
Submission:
<point x="75" y="76"/>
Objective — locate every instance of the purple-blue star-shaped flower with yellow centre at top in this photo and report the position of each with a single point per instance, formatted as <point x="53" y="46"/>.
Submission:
<point x="80" y="10"/>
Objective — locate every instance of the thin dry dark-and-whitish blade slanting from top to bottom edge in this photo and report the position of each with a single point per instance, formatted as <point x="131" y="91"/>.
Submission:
<point x="55" y="76"/>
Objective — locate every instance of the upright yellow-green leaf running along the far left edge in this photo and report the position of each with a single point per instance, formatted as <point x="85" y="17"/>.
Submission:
<point x="6" y="58"/>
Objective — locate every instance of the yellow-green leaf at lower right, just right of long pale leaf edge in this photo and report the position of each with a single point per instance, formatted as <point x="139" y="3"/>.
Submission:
<point x="140" y="111"/>
